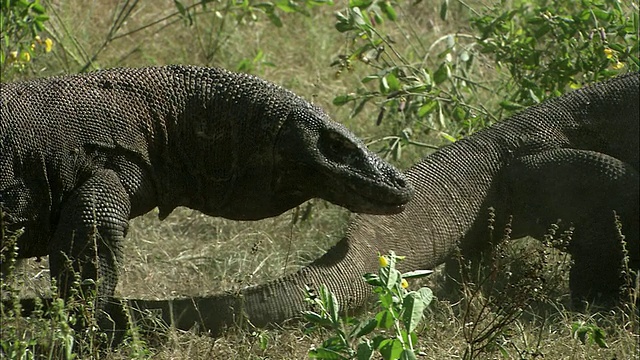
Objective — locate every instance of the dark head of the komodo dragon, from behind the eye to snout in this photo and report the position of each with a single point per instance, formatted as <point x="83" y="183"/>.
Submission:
<point x="316" y="157"/>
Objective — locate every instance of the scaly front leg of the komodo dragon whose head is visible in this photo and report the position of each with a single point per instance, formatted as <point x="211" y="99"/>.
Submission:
<point x="90" y="232"/>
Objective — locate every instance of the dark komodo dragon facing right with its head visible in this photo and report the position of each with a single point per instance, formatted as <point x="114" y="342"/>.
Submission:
<point x="80" y="155"/>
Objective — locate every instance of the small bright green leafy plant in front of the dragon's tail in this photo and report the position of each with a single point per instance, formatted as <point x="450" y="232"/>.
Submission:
<point x="401" y="312"/>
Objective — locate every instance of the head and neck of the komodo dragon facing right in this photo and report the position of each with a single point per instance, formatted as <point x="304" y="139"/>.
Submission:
<point x="257" y="150"/>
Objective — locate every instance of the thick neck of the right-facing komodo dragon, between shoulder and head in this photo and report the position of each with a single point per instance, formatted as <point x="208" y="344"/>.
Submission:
<point x="227" y="118"/>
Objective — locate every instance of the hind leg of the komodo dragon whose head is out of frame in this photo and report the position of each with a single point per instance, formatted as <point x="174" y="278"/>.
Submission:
<point x="582" y="188"/>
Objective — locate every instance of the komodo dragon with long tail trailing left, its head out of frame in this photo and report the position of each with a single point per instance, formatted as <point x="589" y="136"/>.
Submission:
<point x="573" y="158"/>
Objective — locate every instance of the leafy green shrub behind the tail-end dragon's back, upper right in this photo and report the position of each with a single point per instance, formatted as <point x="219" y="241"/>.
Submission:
<point x="539" y="48"/>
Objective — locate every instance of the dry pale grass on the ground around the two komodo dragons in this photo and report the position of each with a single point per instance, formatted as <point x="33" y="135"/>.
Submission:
<point x="192" y="254"/>
